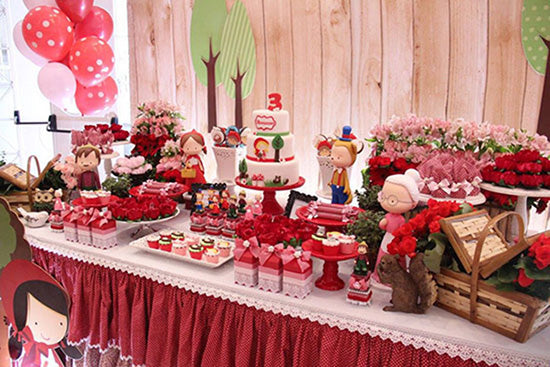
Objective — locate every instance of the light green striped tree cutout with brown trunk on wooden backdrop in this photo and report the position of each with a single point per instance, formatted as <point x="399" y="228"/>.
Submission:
<point x="238" y="58"/>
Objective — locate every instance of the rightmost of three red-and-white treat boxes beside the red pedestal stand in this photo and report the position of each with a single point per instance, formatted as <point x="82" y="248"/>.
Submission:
<point x="297" y="273"/>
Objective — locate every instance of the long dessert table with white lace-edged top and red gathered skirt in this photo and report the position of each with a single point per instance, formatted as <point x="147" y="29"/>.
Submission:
<point x="162" y="312"/>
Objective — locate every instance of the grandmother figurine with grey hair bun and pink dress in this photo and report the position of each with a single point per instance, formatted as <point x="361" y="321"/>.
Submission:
<point x="399" y="195"/>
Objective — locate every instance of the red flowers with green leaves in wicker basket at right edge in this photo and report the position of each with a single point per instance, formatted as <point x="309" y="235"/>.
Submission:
<point x="527" y="273"/>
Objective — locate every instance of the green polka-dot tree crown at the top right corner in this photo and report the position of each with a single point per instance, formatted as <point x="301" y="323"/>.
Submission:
<point x="535" y="22"/>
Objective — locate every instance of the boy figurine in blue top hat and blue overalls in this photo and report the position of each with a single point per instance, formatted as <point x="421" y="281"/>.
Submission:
<point x="343" y="154"/>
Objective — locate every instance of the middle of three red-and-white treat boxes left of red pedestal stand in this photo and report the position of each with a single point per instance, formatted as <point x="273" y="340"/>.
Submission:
<point x="270" y="271"/>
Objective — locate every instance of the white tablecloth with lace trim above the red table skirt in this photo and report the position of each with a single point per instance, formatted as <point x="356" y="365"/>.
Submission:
<point x="436" y="330"/>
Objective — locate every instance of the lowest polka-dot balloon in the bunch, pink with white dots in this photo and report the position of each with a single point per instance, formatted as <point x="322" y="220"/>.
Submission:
<point x="96" y="99"/>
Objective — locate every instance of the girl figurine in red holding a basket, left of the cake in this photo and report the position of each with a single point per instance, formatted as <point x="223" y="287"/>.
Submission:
<point x="192" y="145"/>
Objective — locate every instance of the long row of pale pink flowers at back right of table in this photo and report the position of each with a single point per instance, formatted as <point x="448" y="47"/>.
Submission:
<point x="413" y="138"/>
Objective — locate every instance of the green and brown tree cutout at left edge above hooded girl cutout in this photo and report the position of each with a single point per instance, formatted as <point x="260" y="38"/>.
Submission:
<point x="13" y="244"/>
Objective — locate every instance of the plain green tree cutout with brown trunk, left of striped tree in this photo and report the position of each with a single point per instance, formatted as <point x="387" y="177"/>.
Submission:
<point x="207" y="22"/>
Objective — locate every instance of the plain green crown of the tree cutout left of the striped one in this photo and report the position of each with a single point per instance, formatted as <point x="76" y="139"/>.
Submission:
<point x="207" y="21"/>
